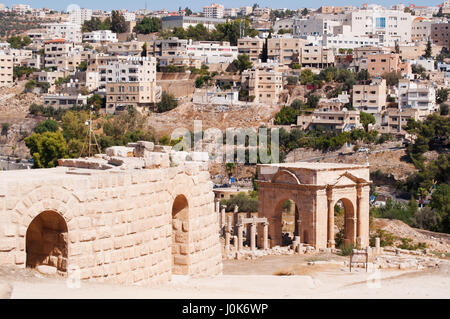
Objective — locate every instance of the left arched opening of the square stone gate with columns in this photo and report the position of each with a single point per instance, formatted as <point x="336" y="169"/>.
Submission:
<point x="285" y="226"/>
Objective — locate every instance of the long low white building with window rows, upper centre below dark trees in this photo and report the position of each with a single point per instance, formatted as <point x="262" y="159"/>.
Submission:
<point x="212" y="52"/>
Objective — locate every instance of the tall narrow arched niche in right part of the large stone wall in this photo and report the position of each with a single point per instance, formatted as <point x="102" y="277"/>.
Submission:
<point x="180" y="236"/>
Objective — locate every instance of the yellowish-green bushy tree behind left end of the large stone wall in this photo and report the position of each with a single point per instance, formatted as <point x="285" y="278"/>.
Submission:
<point x="46" y="148"/>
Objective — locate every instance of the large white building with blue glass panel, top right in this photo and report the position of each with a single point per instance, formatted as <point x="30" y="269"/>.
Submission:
<point x="389" y="26"/>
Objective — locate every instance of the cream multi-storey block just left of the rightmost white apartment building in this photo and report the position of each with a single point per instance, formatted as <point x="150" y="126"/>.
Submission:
<point x="370" y="98"/>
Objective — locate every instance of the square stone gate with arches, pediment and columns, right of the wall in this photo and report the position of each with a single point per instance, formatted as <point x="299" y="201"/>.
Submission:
<point x="315" y="188"/>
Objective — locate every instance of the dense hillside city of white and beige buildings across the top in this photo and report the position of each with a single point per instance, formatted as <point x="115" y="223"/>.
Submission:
<point x="71" y="64"/>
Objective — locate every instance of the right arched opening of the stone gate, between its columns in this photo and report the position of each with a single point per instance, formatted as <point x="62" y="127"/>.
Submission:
<point x="344" y="223"/>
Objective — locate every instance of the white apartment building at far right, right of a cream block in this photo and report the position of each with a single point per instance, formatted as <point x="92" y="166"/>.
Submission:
<point x="416" y="95"/>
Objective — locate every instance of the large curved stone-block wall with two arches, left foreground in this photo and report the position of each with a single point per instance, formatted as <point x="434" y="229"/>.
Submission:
<point x="135" y="215"/>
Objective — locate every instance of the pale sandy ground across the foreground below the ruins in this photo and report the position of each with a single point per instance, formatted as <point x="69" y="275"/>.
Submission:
<point x="253" y="279"/>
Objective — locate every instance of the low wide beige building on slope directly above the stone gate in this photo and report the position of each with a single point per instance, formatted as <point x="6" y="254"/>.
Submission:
<point x="330" y="119"/>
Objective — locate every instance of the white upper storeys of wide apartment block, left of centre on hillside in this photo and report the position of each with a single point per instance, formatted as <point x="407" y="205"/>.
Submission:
<point x="133" y="69"/>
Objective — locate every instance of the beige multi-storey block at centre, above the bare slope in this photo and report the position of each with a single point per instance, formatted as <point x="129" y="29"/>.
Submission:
<point x="264" y="82"/>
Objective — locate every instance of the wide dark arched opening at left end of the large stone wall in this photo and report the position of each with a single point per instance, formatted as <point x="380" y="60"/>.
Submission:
<point x="47" y="241"/>
